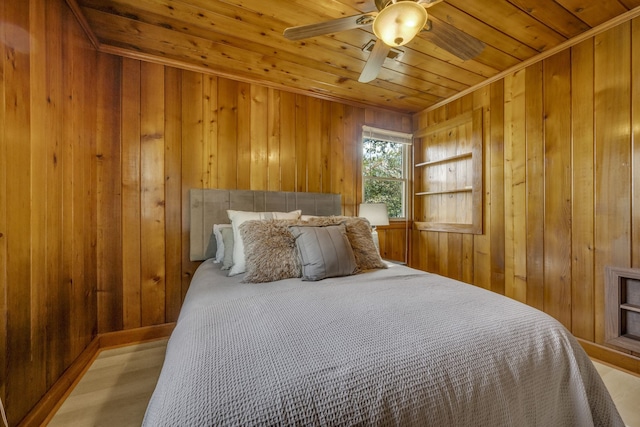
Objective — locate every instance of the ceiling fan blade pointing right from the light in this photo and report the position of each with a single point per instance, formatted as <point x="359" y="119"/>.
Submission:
<point x="452" y="40"/>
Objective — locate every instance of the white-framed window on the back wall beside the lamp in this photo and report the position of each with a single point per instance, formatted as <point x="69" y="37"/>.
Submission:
<point x="385" y="169"/>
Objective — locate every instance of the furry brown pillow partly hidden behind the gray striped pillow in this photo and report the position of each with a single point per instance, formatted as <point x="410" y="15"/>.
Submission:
<point x="359" y="234"/>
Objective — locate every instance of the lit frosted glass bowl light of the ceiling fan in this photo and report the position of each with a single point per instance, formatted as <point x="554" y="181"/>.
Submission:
<point x="398" y="23"/>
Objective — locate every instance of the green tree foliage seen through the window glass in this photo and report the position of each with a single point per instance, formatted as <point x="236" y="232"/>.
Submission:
<point x="383" y="175"/>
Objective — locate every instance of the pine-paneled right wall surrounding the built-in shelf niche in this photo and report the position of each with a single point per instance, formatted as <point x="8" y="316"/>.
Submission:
<point x="561" y="171"/>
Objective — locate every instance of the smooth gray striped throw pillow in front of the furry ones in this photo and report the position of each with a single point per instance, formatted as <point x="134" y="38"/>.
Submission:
<point x="324" y="251"/>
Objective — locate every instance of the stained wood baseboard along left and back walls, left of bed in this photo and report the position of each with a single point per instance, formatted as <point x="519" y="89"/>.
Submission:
<point x="44" y="410"/>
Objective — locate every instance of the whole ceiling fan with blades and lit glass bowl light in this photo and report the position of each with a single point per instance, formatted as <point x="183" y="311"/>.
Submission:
<point x="395" y="24"/>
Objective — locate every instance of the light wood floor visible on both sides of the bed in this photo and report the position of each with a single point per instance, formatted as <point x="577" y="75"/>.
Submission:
<point x="117" y="387"/>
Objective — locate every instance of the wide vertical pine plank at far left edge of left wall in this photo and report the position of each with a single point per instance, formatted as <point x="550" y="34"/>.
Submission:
<point x="19" y="394"/>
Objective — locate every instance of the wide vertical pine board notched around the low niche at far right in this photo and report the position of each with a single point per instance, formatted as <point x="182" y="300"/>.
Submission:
<point x="612" y="107"/>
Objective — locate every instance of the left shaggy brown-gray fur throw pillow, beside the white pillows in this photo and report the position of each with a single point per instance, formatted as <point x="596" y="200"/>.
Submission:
<point x="269" y="250"/>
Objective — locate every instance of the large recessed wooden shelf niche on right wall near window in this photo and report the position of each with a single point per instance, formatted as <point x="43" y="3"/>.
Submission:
<point x="448" y="175"/>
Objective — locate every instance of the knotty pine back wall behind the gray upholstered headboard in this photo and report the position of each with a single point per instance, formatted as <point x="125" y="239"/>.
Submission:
<point x="182" y="130"/>
